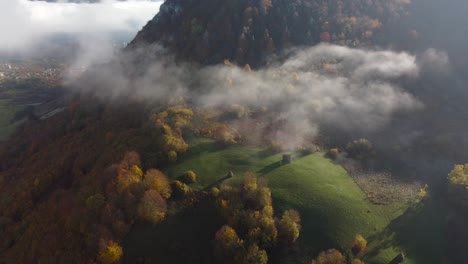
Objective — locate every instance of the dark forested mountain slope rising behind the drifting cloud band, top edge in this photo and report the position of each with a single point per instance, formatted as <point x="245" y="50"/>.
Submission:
<point x="248" y="31"/>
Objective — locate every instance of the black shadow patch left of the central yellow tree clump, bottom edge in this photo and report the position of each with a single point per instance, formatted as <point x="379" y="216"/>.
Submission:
<point x="175" y="240"/>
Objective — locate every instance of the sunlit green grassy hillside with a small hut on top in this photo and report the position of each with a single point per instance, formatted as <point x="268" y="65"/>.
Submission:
<point x="333" y="208"/>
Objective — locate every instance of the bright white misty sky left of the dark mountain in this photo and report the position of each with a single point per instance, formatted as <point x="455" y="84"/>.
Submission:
<point x="23" y="23"/>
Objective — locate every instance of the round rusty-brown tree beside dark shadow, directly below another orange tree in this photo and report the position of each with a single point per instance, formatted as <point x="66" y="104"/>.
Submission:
<point x="152" y="207"/>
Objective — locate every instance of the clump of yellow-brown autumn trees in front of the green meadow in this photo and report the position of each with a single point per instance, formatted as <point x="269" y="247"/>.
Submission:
<point x="248" y="208"/>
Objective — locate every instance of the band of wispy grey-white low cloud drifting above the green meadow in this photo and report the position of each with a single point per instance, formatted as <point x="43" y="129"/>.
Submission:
<point x="350" y="89"/>
